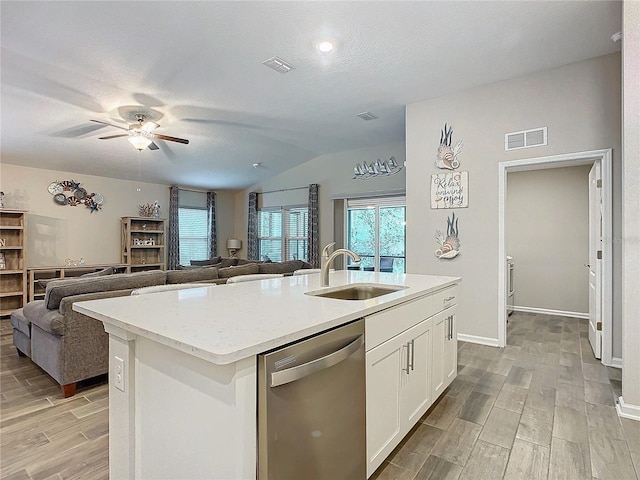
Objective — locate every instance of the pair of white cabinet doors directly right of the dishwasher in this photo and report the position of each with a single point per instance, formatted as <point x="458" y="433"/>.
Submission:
<point x="397" y="390"/>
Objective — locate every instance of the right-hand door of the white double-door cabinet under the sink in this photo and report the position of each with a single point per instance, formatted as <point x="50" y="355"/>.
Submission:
<point x="415" y="377"/>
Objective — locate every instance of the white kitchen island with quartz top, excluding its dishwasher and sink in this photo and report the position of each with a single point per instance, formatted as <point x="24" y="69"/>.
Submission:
<point x="182" y="375"/>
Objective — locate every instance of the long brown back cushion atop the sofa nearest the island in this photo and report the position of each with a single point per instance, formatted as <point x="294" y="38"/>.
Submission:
<point x="58" y="289"/>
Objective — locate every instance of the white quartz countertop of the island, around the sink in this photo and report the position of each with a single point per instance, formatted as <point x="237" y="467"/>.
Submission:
<point x="226" y="323"/>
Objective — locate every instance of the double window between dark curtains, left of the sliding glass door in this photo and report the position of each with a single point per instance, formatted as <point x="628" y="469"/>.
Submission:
<point x="282" y="233"/>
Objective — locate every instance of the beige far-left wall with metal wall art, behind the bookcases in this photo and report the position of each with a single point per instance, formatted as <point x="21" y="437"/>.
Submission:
<point x="55" y="233"/>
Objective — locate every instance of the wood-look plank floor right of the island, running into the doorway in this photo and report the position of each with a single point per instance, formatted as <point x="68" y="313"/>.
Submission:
<point x="543" y="408"/>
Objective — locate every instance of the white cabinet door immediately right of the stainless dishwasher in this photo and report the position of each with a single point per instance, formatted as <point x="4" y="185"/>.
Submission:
<point x="384" y="364"/>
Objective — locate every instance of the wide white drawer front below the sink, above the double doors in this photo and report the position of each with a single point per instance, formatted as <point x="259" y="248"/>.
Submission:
<point x="384" y="325"/>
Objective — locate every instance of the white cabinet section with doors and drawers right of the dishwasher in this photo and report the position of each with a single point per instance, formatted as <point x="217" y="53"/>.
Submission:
<point x="411" y="359"/>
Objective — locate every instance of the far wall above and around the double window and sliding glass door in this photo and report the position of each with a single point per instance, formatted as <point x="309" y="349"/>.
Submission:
<point x="334" y="175"/>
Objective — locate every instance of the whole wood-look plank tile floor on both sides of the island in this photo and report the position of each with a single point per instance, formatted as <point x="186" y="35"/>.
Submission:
<point x="541" y="408"/>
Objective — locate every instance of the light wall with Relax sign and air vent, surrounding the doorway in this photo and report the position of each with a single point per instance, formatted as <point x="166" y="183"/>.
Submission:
<point x="580" y="105"/>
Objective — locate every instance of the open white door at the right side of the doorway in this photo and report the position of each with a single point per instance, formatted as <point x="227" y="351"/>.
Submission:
<point x="595" y="259"/>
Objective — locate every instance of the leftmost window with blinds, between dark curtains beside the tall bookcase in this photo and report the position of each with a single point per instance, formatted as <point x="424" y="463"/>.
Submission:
<point x="194" y="242"/>
